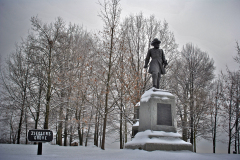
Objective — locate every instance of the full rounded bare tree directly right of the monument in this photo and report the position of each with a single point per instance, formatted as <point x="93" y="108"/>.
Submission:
<point x="193" y="72"/>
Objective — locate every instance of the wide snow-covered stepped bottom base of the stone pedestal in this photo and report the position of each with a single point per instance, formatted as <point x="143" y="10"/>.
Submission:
<point x="158" y="140"/>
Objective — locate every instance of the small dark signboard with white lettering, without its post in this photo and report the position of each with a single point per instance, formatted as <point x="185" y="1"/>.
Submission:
<point x="40" y="135"/>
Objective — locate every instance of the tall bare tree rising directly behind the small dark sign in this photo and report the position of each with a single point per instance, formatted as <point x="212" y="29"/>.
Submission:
<point x="45" y="43"/>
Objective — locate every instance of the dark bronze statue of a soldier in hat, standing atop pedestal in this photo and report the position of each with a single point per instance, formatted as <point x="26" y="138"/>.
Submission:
<point x="157" y="64"/>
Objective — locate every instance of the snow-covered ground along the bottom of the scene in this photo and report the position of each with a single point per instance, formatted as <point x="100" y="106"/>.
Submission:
<point x="29" y="152"/>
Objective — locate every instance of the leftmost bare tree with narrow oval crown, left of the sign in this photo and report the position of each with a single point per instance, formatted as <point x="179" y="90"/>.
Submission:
<point x="16" y="82"/>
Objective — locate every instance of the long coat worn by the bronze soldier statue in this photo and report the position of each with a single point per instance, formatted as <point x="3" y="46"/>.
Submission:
<point x="156" y="64"/>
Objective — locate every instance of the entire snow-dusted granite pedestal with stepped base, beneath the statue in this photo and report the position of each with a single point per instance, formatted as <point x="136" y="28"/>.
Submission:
<point x="157" y="128"/>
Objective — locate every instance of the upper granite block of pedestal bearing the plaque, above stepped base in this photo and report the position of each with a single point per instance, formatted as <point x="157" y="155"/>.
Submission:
<point x="157" y="111"/>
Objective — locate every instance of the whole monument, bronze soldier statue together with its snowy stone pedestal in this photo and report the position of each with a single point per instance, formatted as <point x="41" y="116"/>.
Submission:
<point x="157" y="129"/>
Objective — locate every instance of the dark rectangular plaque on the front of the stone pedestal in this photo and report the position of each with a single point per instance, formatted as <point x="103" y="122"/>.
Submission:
<point x="164" y="114"/>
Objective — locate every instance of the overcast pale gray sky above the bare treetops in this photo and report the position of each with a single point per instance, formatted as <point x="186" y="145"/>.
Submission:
<point x="212" y="25"/>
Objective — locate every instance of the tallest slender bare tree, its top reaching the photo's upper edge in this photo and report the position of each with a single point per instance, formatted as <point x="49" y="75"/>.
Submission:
<point x="110" y="14"/>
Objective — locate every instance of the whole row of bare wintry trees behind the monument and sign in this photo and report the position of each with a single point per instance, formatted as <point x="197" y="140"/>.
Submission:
<point x="84" y="85"/>
